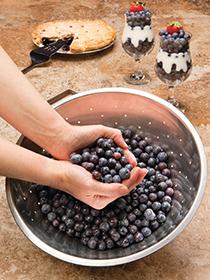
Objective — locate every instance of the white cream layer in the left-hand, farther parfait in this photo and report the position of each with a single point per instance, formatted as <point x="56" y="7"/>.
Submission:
<point x="136" y="34"/>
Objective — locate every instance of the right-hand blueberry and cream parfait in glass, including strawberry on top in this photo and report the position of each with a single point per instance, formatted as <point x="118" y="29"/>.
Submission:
<point x="173" y="62"/>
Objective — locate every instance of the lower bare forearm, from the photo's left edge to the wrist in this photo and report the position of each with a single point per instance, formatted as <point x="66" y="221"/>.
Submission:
<point x="20" y="163"/>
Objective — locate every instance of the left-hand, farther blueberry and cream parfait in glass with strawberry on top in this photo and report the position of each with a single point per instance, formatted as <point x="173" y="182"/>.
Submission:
<point x="138" y="39"/>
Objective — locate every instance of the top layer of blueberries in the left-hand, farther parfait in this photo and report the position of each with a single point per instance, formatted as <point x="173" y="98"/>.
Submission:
<point x="141" y="18"/>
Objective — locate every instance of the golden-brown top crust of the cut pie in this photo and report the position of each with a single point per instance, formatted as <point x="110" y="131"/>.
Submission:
<point x="88" y="34"/>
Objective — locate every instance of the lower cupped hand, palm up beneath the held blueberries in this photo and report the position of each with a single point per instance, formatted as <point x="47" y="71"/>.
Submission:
<point x="78" y="182"/>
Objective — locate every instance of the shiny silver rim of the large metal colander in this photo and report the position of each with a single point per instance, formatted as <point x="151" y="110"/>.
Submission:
<point x="117" y="261"/>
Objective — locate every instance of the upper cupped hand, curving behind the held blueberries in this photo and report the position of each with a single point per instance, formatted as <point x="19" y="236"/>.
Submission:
<point x="72" y="138"/>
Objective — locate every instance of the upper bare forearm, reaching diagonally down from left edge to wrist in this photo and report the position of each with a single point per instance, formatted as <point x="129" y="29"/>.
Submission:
<point x="23" y="107"/>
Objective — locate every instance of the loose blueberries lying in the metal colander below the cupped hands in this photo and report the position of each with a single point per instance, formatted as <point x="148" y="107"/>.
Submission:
<point x="129" y="219"/>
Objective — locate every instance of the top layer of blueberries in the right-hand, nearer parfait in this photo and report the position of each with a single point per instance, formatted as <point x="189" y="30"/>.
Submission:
<point x="176" y="42"/>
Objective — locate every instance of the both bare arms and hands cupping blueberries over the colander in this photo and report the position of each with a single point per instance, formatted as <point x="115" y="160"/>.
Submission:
<point x="38" y="121"/>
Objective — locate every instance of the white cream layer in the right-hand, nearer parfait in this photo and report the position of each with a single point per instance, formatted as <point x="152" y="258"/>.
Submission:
<point x="179" y="59"/>
